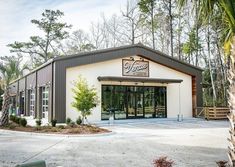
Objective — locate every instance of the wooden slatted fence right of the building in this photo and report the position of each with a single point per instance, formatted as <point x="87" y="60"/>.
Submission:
<point x="212" y="113"/>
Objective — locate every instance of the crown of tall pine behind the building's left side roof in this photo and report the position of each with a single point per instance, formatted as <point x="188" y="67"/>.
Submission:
<point x="42" y="48"/>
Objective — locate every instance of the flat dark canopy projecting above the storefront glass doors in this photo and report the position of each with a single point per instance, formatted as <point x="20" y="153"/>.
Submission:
<point x="137" y="79"/>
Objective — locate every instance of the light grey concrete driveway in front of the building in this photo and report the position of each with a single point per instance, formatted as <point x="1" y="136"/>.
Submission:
<point x="190" y="143"/>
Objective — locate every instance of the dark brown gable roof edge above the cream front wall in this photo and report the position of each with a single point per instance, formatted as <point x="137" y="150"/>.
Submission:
<point x="120" y="52"/>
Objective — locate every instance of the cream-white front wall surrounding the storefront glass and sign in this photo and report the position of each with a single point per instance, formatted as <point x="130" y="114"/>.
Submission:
<point x="114" y="68"/>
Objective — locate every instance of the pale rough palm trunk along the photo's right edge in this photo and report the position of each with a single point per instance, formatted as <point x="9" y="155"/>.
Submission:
<point x="231" y="102"/>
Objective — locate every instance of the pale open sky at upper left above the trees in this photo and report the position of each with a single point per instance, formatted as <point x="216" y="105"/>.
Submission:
<point x="15" y="16"/>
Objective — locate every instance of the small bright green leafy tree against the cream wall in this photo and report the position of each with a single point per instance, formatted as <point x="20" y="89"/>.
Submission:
<point x="85" y="98"/>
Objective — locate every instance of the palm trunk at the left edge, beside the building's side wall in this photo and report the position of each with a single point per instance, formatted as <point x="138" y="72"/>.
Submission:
<point x="6" y="101"/>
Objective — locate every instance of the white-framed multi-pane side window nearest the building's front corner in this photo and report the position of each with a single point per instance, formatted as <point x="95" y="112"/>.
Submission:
<point x="45" y="100"/>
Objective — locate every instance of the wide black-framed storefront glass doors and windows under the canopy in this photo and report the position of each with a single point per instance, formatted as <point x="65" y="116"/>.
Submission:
<point x="133" y="102"/>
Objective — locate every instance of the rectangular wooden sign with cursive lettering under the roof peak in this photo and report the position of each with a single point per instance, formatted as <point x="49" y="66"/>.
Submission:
<point x="138" y="68"/>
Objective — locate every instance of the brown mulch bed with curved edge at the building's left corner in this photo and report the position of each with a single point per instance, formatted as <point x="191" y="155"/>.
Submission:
<point x="60" y="129"/>
